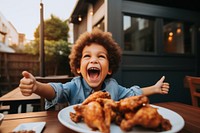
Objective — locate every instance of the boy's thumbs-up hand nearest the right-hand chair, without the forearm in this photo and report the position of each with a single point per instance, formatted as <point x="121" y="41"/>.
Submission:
<point x="162" y="87"/>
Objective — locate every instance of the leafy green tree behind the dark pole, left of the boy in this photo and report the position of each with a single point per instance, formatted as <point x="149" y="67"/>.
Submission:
<point x="56" y="43"/>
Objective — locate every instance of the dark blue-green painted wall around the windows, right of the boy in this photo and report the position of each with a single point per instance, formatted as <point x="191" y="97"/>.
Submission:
<point x="145" y="70"/>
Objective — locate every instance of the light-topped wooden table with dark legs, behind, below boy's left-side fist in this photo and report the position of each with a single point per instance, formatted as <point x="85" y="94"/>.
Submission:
<point x="15" y="98"/>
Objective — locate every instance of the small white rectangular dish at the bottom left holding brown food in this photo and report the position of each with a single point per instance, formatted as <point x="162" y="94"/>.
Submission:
<point x="35" y="126"/>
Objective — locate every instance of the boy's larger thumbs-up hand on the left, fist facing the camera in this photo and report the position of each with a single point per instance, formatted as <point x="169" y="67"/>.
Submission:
<point x="27" y="84"/>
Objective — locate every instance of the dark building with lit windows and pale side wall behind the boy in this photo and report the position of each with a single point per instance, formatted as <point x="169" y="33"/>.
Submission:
<point x="160" y="38"/>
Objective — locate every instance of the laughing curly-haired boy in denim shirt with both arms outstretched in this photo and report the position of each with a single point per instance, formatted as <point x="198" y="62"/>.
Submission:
<point x="94" y="58"/>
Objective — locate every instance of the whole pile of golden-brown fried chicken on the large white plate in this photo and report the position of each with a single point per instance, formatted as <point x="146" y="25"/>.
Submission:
<point x="98" y="111"/>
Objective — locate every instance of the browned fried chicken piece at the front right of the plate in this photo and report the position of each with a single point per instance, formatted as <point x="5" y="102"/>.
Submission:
<point x="148" y="117"/>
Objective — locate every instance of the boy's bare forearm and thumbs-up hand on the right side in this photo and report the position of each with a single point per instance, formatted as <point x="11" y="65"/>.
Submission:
<point x="160" y="87"/>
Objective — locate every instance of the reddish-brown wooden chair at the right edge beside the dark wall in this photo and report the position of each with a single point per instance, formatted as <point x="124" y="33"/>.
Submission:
<point x="194" y="86"/>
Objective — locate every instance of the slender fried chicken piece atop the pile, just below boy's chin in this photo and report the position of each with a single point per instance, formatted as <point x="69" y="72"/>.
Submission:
<point x="95" y="95"/>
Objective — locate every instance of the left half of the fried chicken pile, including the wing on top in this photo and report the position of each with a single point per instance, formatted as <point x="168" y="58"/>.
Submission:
<point x="97" y="115"/>
